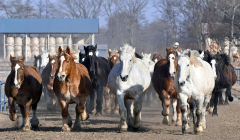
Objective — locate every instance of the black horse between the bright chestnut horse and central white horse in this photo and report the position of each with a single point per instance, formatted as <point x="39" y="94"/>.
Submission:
<point x="98" y="69"/>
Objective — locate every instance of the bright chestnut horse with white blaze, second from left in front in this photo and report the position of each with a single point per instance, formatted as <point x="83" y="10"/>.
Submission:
<point x="71" y="85"/>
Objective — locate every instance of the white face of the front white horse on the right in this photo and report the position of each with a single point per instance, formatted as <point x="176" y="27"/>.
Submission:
<point x="184" y="69"/>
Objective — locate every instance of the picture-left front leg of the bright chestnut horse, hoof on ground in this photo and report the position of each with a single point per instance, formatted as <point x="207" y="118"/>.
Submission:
<point x="66" y="117"/>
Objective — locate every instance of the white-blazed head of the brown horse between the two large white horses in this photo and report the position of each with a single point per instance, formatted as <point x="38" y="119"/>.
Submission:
<point x="172" y="59"/>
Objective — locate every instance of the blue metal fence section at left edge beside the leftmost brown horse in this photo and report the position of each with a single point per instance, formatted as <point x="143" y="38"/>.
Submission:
<point x="3" y="100"/>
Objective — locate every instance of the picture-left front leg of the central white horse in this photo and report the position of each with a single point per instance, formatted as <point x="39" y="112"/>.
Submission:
<point x="122" y="110"/>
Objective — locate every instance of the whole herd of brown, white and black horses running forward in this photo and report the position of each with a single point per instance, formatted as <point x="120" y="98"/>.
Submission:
<point x="189" y="80"/>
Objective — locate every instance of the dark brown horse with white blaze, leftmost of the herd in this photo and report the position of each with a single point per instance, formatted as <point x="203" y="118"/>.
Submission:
<point x="24" y="87"/>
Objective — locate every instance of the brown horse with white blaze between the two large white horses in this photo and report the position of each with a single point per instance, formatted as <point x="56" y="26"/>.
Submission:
<point x="163" y="83"/>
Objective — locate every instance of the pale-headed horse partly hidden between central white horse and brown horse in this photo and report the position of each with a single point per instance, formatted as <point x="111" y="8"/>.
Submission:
<point x="150" y="65"/>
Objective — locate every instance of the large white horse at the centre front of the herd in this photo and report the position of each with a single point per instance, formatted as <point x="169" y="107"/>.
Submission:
<point x="129" y="79"/>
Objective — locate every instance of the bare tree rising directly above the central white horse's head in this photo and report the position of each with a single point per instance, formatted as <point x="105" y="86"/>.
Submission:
<point x="133" y="10"/>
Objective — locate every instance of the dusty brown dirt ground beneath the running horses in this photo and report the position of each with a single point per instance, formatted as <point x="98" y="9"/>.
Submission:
<point x="224" y="126"/>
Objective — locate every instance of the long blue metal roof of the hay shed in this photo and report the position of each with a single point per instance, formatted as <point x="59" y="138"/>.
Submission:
<point x="49" y="25"/>
